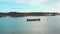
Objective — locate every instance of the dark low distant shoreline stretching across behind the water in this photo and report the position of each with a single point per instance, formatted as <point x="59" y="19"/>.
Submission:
<point x="16" y="14"/>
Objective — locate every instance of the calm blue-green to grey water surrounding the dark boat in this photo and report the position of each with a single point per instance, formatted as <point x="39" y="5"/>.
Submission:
<point x="20" y="25"/>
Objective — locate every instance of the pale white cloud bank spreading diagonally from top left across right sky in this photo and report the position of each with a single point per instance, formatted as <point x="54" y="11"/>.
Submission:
<point x="52" y="4"/>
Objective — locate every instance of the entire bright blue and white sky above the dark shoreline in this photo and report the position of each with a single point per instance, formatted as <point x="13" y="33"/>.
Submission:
<point x="29" y="5"/>
